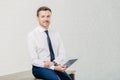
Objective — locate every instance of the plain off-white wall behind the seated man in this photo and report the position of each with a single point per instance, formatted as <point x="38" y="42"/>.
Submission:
<point x="89" y="28"/>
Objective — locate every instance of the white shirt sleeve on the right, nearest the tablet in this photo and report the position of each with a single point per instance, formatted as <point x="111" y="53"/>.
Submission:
<point x="60" y="52"/>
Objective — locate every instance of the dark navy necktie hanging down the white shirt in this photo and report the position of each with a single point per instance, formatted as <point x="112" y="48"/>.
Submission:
<point x="52" y="57"/>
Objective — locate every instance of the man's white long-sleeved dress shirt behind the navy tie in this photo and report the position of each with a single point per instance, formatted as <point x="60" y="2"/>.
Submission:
<point x="39" y="50"/>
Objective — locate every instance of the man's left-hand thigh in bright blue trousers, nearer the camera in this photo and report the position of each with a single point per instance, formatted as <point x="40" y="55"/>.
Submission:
<point x="44" y="73"/>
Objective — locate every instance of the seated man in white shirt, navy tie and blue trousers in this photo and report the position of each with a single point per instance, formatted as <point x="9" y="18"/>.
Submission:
<point x="46" y="49"/>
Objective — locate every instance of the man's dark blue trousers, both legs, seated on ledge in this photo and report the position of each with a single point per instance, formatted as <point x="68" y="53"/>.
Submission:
<point x="48" y="74"/>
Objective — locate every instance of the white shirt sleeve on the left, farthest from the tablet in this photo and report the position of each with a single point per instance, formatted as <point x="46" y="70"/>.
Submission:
<point x="35" y="61"/>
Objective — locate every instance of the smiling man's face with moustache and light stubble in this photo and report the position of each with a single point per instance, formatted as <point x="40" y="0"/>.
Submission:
<point x="44" y="18"/>
